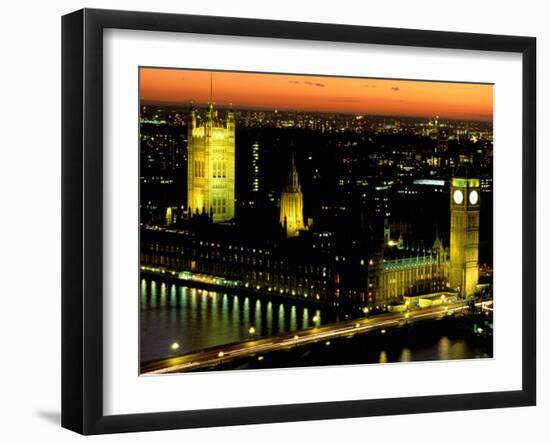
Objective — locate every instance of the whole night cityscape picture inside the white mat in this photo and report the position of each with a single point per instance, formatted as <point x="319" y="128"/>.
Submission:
<point x="274" y="238"/>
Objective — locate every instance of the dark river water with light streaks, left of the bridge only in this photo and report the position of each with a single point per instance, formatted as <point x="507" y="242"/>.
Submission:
<point x="198" y="319"/>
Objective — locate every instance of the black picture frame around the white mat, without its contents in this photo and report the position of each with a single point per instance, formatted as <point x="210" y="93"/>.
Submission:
<point x="82" y="218"/>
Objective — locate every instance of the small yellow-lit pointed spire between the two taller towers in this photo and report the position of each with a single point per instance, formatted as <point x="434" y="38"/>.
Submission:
<point x="292" y="204"/>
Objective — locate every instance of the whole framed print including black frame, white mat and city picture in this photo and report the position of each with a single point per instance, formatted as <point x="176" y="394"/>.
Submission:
<point x="270" y="221"/>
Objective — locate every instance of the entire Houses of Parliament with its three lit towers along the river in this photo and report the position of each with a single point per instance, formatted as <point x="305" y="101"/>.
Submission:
<point x="298" y="260"/>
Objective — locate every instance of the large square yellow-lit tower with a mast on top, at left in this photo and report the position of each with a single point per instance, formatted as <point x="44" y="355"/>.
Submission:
<point x="211" y="165"/>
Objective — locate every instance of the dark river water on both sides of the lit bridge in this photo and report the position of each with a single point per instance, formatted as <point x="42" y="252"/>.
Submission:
<point x="197" y="319"/>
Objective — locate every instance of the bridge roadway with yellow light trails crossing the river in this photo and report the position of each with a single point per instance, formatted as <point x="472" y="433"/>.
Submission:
<point x="225" y="353"/>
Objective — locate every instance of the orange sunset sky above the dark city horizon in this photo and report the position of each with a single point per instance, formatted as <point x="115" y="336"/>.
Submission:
<point x="319" y="93"/>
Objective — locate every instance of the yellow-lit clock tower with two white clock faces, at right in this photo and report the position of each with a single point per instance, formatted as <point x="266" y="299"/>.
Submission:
<point x="464" y="232"/>
